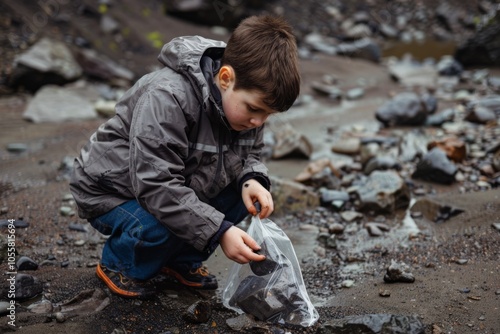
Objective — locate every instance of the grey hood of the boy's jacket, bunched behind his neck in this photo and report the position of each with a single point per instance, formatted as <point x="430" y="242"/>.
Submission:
<point x="183" y="55"/>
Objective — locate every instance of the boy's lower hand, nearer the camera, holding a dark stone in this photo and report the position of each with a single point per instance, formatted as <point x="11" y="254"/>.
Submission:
<point x="238" y="246"/>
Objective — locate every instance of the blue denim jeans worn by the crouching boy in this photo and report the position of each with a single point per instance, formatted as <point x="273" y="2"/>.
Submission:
<point x="139" y="245"/>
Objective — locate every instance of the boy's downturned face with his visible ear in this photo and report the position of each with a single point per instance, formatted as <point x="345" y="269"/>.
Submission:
<point x="244" y="109"/>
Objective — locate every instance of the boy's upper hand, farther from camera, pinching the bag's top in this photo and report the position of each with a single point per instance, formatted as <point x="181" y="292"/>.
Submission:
<point x="252" y="192"/>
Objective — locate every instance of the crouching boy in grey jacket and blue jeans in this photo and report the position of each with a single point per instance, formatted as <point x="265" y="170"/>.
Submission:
<point x="170" y="175"/>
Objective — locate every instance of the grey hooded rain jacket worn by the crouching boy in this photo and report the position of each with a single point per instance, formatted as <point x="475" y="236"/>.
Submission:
<point x="169" y="147"/>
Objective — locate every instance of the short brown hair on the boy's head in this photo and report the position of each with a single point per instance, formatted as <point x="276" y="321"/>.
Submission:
<point x="263" y="53"/>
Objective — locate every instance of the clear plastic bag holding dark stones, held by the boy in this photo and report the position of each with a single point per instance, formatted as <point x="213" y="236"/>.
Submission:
<point x="272" y="290"/>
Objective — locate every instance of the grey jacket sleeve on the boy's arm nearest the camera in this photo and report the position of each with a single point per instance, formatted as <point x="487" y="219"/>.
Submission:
<point x="158" y="147"/>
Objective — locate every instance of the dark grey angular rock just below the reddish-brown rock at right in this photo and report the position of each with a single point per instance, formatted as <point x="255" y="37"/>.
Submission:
<point x="436" y="167"/>
